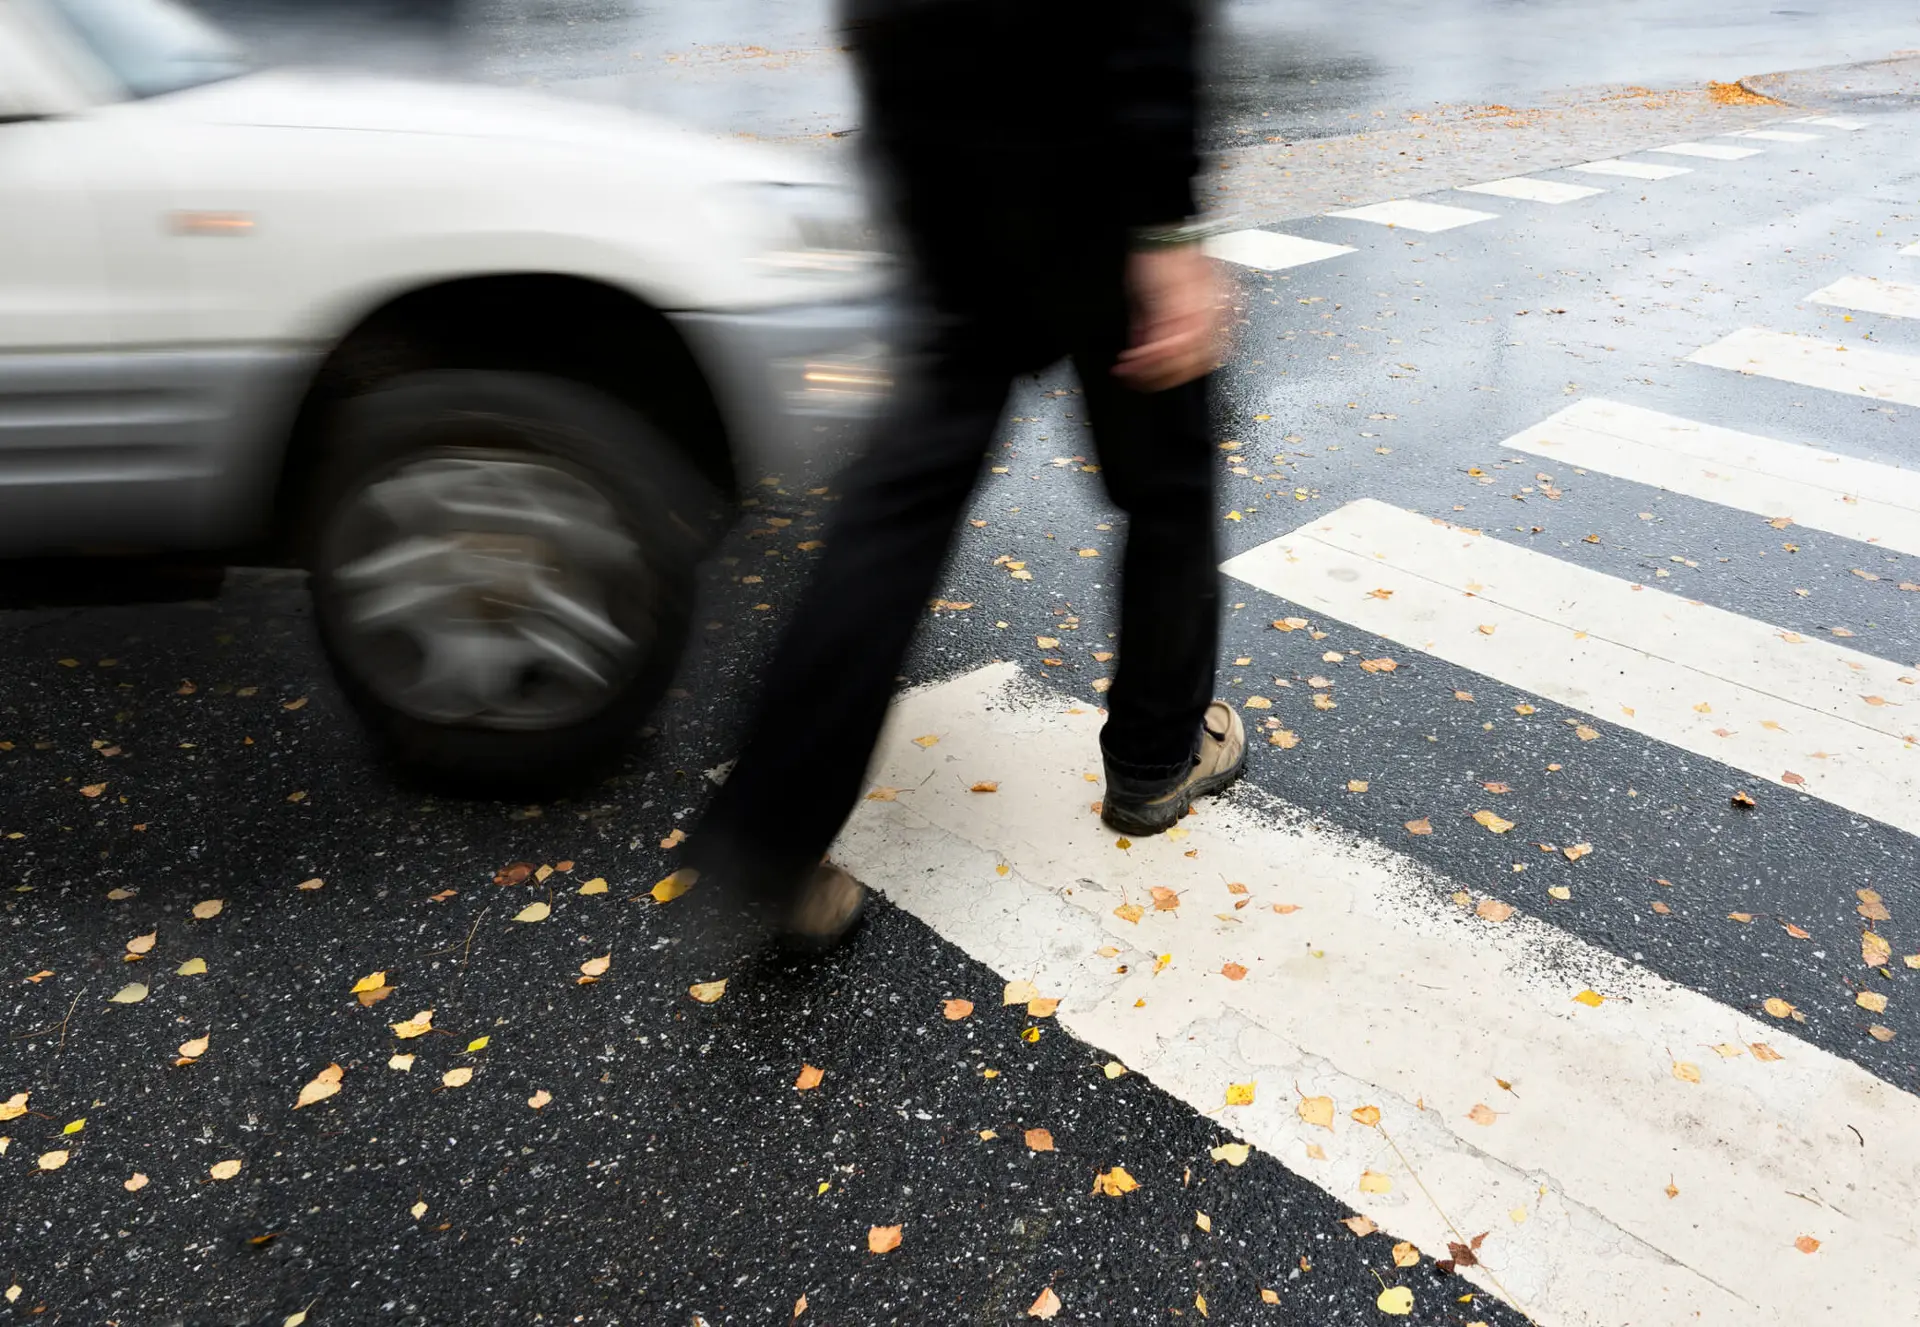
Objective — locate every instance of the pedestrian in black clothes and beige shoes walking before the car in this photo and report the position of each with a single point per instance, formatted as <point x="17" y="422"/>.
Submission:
<point x="1040" y="162"/>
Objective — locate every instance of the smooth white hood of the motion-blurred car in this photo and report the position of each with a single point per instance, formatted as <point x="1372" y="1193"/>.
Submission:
<point x="297" y="99"/>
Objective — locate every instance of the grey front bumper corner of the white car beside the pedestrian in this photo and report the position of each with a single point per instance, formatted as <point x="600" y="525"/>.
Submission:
<point x="780" y="374"/>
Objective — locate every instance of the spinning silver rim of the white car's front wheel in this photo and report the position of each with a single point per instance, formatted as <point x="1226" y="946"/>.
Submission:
<point x="489" y="591"/>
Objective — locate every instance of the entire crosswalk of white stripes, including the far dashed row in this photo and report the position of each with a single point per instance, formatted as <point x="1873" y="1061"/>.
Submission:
<point x="1260" y="948"/>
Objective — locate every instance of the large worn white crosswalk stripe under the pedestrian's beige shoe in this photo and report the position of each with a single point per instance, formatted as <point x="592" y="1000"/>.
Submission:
<point x="1380" y="992"/>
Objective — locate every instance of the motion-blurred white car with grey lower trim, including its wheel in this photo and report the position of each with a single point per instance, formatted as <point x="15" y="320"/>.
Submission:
<point x="473" y="358"/>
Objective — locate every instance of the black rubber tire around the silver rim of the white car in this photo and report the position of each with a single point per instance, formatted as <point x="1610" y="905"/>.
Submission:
<point x="573" y="437"/>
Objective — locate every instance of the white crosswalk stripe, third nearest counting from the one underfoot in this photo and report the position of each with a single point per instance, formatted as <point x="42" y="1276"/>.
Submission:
<point x="1821" y="491"/>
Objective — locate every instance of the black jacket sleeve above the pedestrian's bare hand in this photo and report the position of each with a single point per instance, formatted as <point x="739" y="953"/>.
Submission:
<point x="1153" y="97"/>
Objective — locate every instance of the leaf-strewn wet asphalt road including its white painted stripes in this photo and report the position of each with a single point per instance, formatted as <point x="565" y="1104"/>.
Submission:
<point x="1573" y="550"/>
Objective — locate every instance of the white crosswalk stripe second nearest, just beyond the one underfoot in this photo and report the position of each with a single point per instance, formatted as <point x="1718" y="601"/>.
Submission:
<point x="1683" y="673"/>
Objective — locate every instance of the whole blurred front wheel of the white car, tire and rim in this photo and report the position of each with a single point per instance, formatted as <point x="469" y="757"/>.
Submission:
<point x="502" y="575"/>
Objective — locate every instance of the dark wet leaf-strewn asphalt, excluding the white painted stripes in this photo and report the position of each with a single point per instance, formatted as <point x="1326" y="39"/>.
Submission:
<point x="673" y="1174"/>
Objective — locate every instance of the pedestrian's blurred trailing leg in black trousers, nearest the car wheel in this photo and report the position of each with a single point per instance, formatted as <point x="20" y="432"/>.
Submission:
<point x="832" y="677"/>
